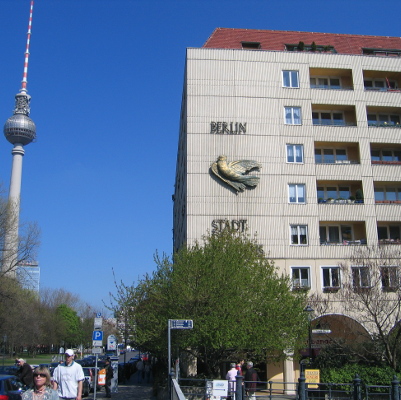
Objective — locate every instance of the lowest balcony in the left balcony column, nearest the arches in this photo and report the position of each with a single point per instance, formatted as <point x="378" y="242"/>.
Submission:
<point x="342" y="233"/>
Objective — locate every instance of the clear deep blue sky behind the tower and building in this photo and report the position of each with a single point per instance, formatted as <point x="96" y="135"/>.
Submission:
<point x="106" y="80"/>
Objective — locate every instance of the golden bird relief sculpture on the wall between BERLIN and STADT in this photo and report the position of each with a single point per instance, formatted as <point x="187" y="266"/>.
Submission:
<point x="235" y="173"/>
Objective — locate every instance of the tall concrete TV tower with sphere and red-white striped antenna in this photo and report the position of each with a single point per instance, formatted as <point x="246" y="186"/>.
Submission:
<point x="19" y="130"/>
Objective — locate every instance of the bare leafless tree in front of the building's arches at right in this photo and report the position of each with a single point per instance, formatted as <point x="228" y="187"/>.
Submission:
<point x="371" y="294"/>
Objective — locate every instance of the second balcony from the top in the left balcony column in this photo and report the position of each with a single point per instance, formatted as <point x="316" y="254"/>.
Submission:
<point x="333" y="115"/>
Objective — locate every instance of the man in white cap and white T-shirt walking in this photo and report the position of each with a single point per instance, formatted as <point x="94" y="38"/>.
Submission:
<point x="68" y="378"/>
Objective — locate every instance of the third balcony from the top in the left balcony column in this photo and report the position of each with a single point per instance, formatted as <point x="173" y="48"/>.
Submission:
<point x="336" y="153"/>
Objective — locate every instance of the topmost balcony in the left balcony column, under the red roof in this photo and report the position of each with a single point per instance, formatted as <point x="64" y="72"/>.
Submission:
<point x="331" y="79"/>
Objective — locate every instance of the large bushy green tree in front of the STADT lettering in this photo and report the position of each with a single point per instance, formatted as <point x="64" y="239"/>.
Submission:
<point x="233" y="293"/>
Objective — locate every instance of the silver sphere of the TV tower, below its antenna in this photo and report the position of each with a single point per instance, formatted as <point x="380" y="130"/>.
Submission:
<point x="19" y="128"/>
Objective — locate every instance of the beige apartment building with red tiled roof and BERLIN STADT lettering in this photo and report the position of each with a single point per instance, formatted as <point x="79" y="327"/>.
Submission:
<point x="296" y="137"/>
